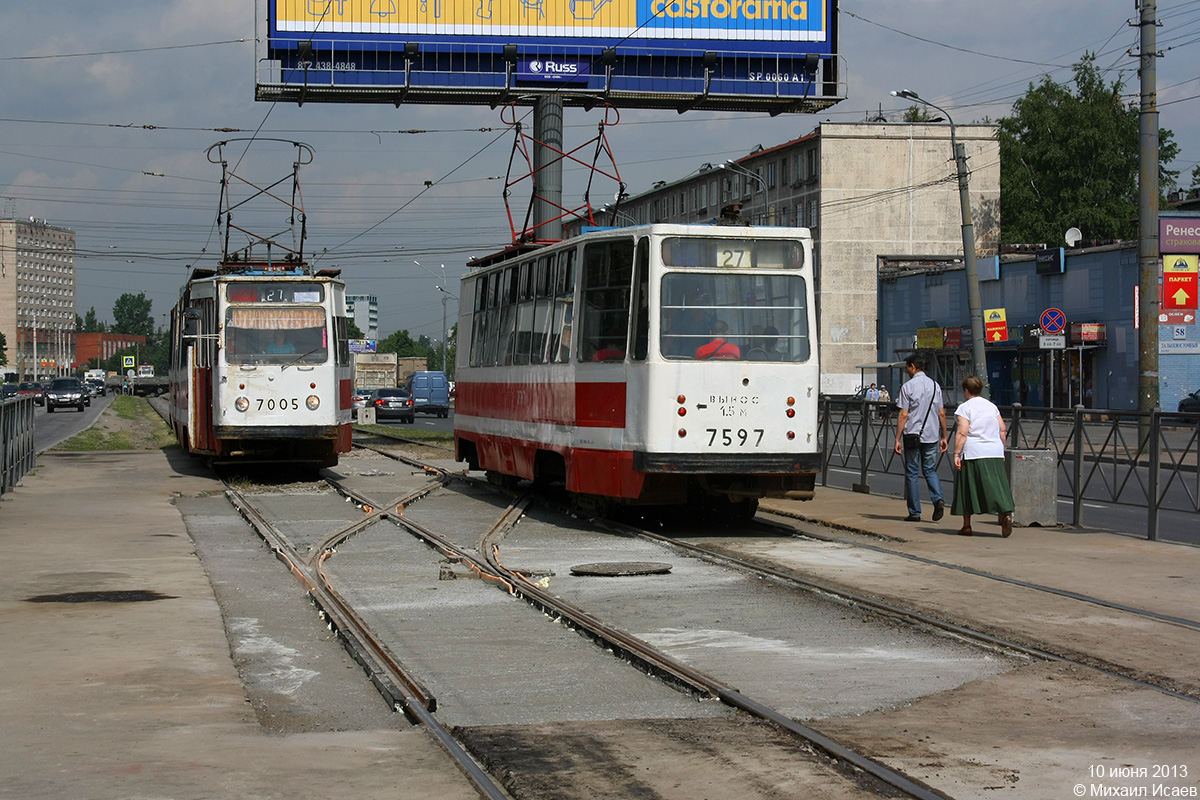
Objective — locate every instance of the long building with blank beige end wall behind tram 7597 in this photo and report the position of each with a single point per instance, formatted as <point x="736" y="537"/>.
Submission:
<point x="863" y="189"/>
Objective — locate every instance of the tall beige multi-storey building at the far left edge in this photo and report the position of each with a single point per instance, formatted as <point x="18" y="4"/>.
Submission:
<point x="38" y="297"/>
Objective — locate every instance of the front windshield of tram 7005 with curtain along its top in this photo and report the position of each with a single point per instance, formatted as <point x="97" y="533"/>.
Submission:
<point x="266" y="335"/>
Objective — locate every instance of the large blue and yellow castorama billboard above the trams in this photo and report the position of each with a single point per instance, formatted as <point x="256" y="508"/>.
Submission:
<point x="777" y="56"/>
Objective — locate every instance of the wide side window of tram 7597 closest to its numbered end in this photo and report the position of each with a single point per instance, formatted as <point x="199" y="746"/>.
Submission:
<point x="608" y="275"/>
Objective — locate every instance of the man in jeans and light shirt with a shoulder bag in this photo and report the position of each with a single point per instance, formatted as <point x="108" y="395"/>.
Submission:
<point x="921" y="437"/>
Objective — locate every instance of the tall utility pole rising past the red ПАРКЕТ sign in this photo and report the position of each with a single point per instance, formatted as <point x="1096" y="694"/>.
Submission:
<point x="1148" y="214"/>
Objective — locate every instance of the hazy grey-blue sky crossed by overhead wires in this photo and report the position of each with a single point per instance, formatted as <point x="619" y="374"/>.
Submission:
<point x="109" y="110"/>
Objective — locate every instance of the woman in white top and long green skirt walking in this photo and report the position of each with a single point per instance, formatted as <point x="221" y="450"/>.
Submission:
<point x="982" y="483"/>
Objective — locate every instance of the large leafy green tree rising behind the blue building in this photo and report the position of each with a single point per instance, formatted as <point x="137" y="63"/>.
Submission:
<point x="1071" y="160"/>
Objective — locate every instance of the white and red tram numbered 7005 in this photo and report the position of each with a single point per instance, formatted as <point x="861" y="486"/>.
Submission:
<point x="260" y="365"/>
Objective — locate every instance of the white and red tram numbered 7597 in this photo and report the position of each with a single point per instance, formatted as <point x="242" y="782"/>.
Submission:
<point x="653" y="365"/>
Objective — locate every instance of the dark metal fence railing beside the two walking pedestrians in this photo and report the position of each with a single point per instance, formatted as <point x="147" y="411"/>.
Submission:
<point x="1137" y="459"/>
